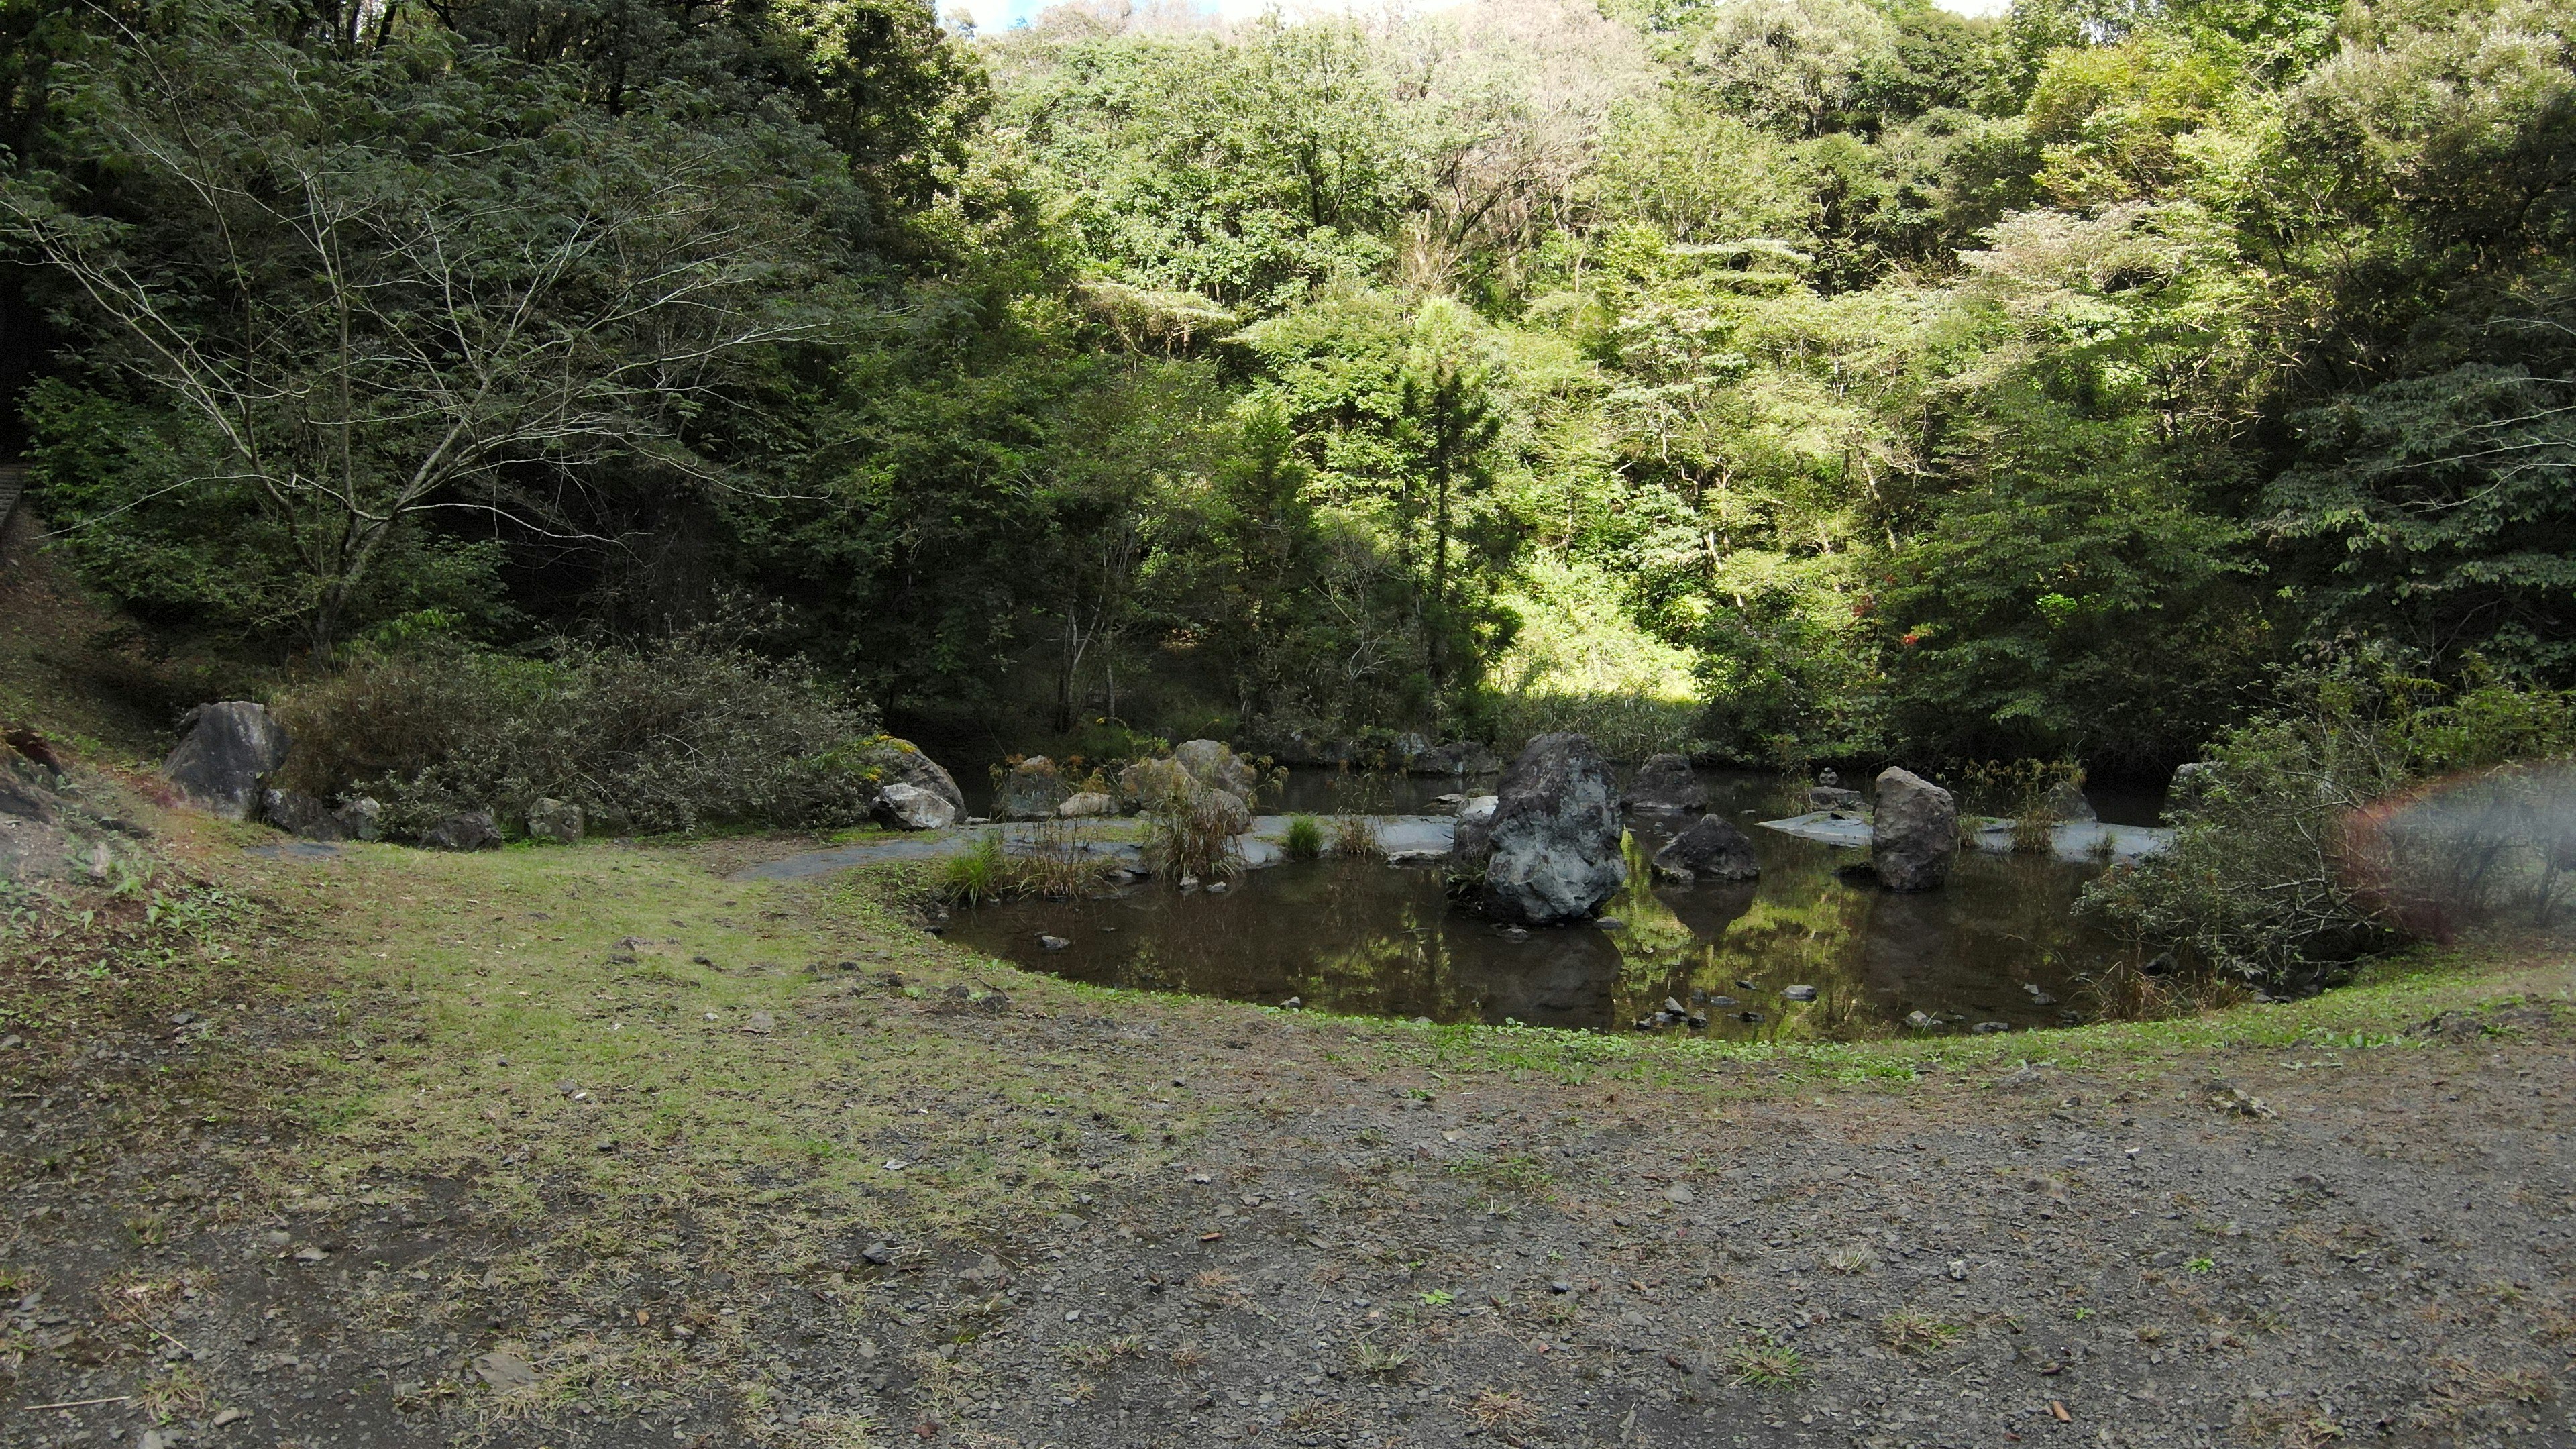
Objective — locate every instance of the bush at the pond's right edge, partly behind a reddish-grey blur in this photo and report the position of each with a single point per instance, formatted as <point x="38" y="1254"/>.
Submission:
<point x="2366" y="813"/>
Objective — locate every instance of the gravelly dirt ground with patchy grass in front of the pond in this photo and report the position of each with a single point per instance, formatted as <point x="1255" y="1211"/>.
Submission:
<point x="323" y="1172"/>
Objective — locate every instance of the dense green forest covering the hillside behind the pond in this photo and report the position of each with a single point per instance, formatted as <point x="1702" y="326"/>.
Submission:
<point x="1799" y="380"/>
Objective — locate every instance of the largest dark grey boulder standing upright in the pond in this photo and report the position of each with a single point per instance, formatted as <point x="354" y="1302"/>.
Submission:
<point x="1552" y="847"/>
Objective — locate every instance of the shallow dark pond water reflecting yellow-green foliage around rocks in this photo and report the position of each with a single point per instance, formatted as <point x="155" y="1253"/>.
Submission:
<point x="2000" y="945"/>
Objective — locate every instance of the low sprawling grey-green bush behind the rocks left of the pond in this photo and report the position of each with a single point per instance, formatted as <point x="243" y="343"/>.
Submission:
<point x="676" y="736"/>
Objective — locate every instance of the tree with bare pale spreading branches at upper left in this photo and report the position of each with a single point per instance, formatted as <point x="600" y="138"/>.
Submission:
<point x="393" y="285"/>
